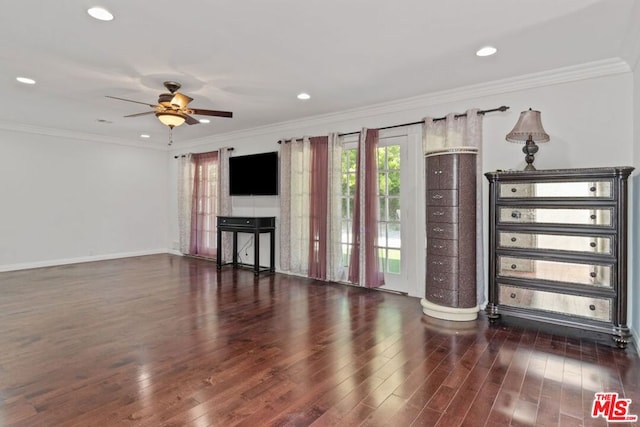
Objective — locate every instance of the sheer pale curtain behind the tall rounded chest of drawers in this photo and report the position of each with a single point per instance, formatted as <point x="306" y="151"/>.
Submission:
<point x="465" y="131"/>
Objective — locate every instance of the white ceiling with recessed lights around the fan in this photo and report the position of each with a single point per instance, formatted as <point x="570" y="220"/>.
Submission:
<point x="253" y="57"/>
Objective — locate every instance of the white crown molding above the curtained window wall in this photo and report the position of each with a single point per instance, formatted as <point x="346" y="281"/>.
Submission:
<point x="607" y="67"/>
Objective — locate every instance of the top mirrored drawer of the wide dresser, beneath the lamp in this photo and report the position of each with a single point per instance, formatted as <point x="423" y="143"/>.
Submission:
<point x="563" y="190"/>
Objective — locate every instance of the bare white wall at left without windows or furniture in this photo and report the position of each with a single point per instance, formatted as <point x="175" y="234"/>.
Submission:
<point x="68" y="200"/>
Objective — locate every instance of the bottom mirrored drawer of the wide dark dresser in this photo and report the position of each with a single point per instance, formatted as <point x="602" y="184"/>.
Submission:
<point x="572" y="305"/>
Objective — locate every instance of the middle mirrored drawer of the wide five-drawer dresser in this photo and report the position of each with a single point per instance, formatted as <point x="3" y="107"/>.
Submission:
<point x="557" y="242"/>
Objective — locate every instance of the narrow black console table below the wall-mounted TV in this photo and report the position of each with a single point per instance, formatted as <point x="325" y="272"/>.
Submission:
<point x="255" y="226"/>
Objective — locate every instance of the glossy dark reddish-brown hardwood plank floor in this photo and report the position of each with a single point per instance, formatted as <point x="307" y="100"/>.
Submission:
<point x="168" y="341"/>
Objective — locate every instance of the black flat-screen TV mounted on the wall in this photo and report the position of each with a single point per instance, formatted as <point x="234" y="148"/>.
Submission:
<point x="254" y="175"/>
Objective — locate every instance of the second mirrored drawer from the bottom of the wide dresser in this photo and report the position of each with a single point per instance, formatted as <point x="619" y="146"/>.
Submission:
<point x="556" y="271"/>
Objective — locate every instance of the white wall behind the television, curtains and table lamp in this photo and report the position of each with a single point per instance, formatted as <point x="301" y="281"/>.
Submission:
<point x="588" y="115"/>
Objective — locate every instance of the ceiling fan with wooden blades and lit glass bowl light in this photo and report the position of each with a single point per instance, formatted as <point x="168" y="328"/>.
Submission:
<point x="172" y="108"/>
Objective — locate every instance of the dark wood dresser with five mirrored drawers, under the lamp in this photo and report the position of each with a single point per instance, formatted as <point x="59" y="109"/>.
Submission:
<point x="558" y="248"/>
